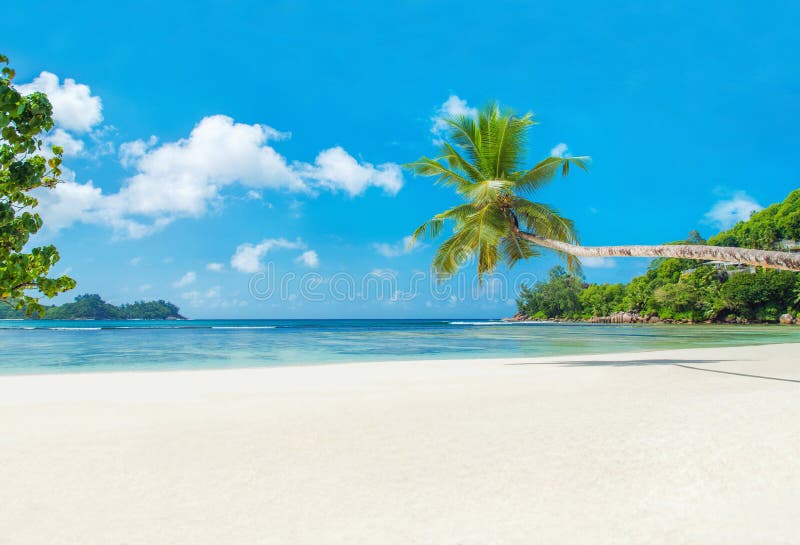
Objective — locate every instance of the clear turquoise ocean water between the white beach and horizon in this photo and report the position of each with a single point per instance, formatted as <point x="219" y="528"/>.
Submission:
<point x="69" y="346"/>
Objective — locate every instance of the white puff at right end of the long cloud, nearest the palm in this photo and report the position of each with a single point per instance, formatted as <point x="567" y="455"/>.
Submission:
<point x="335" y="169"/>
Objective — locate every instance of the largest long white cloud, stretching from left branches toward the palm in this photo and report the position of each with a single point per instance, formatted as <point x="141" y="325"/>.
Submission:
<point x="186" y="177"/>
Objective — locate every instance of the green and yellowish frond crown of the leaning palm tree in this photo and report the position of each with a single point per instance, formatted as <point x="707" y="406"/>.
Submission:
<point x="482" y="159"/>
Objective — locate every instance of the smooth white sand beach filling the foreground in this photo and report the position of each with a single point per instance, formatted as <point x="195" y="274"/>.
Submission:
<point x="458" y="452"/>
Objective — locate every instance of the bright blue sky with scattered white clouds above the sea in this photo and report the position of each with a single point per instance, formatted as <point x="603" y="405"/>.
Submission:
<point x="210" y="144"/>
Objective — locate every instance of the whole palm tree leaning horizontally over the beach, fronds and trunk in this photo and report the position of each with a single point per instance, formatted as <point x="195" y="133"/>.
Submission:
<point x="482" y="159"/>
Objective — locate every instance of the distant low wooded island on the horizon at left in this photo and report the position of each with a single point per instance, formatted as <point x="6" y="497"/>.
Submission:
<point x="91" y="306"/>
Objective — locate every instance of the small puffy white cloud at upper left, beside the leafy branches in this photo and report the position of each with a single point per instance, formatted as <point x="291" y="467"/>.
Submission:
<point x="74" y="107"/>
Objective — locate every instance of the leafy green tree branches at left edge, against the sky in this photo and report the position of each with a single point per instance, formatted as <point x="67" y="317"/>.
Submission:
<point x="23" y="169"/>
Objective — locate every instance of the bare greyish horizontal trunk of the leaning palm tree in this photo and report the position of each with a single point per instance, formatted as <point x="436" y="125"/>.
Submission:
<point x="762" y="258"/>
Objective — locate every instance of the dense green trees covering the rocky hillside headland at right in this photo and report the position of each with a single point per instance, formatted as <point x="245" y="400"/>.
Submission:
<point x="680" y="289"/>
